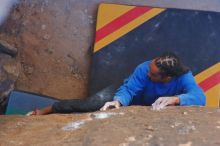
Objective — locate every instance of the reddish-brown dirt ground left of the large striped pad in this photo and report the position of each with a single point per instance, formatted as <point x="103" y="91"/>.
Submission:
<point x="53" y="61"/>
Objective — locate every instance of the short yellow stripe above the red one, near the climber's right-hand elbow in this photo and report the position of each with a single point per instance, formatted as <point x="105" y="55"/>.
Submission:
<point x="207" y="73"/>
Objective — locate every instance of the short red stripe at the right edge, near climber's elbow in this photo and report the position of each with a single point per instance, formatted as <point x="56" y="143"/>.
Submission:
<point x="210" y="82"/>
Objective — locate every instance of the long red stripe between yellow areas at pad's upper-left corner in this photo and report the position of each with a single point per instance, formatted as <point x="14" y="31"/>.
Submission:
<point x="120" y="21"/>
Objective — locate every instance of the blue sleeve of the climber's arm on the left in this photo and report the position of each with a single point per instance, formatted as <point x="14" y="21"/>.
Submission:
<point x="133" y="86"/>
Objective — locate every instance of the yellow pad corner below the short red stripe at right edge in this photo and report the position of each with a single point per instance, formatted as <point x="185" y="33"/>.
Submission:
<point x="213" y="96"/>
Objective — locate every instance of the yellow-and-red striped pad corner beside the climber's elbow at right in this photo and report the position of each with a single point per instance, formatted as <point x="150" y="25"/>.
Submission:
<point x="209" y="81"/>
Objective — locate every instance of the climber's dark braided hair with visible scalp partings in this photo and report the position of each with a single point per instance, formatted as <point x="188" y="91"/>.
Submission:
<point x="170" y="65"/>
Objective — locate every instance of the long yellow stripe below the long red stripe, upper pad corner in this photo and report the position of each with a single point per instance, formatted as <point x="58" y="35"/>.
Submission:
<point x="128" y="27"/>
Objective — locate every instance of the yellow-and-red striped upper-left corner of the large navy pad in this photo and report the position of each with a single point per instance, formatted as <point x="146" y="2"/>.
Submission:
<point x="120" y="23"/>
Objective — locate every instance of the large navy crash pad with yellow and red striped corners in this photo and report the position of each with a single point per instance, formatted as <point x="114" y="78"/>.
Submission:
<point x="129" y="35"/>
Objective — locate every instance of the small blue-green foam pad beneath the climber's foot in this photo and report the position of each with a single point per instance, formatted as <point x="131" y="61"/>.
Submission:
<point x="22" y="102"/>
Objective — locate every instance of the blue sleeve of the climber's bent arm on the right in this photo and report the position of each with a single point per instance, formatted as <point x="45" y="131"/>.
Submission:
<point x="192" y="93"/>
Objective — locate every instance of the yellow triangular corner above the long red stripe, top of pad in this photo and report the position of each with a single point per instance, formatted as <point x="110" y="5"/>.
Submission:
<point x="109" y="12"/>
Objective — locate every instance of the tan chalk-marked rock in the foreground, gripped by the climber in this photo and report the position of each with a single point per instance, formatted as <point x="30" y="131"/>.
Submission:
<point x="130" y="126"/>
